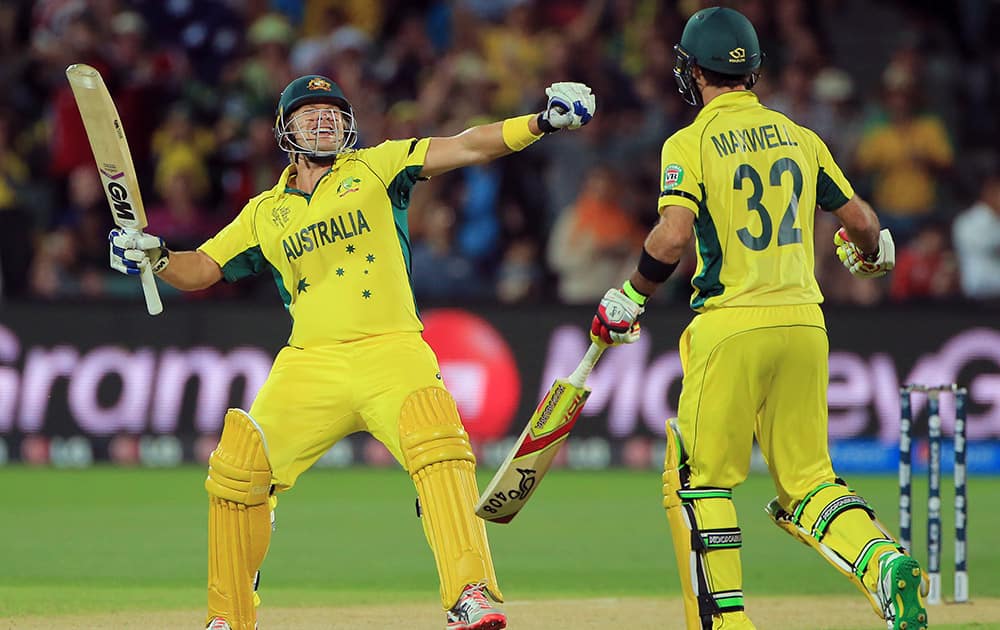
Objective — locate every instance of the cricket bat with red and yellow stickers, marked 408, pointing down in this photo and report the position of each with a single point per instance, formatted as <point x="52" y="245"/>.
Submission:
<point x="532" y="455"/>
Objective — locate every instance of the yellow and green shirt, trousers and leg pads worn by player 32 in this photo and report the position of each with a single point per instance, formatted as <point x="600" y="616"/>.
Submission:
<point x="755" y="357"/>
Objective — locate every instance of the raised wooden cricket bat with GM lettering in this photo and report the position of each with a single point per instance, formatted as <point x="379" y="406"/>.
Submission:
<point x="114" y="161"/>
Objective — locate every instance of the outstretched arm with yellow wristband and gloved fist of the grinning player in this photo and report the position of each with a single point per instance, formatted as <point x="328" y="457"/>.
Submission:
<point x="570" y="106"/>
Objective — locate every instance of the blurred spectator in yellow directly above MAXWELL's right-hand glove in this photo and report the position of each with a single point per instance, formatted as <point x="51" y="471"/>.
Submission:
<point x="905" y="156"/>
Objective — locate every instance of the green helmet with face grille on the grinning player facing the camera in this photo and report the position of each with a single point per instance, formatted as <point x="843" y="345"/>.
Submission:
<point x="308" y="89"/>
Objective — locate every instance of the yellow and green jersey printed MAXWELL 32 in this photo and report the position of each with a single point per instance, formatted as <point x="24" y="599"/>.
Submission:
<point x="753" y="179"/>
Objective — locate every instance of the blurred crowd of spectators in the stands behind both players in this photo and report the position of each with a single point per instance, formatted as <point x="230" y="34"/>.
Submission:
<point x="904" y="93"/>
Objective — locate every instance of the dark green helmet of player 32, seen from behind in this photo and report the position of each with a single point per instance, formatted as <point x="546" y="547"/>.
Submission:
<point x="718" y="39"/>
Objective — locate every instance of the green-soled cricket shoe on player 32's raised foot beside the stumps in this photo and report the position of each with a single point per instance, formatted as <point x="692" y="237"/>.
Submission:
<point x="899" y="587"/>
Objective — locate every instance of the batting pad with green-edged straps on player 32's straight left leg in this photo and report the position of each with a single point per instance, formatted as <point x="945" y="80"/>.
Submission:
<point x="707" y="544"/>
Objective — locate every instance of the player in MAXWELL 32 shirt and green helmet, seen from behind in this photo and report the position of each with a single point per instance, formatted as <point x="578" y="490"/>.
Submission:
<point x="746" y="181"/>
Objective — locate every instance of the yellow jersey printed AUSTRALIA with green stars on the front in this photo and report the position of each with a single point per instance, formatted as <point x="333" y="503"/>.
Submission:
<point x="341" y="256"/>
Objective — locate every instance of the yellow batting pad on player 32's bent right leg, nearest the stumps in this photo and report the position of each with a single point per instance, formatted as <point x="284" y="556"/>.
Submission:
<point x="842" y="527"/>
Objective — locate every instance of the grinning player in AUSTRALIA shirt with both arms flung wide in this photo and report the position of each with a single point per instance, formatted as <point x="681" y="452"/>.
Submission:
<point x="333" y="232"/>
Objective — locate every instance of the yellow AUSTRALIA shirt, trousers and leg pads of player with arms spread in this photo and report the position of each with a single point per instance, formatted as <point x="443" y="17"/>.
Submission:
<point x="355" y="361"/>
